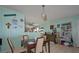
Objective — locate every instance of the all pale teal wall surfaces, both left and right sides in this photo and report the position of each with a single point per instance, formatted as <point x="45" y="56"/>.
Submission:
<point x="16" y="34"/>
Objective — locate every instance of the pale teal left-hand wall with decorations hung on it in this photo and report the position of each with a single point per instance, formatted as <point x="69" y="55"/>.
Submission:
<point x="15" y="34"/>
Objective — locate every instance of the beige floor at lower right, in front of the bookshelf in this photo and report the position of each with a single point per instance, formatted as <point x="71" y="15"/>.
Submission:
<point x="56" y="48"/>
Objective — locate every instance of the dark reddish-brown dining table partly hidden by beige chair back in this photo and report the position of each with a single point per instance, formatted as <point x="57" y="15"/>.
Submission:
<point x="32" y="44"/>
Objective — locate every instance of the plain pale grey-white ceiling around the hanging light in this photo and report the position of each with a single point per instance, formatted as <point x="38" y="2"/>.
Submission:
<point x="52" y="11"/>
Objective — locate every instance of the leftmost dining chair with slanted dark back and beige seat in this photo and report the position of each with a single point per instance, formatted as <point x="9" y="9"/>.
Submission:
<point x="15" y="50"/>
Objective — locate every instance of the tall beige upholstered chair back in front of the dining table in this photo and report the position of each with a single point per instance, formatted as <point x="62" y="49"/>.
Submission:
<point x="39" y="45"/>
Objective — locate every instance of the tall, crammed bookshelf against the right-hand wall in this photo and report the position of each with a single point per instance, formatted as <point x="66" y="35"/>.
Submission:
<point x="66" y="32"/>
